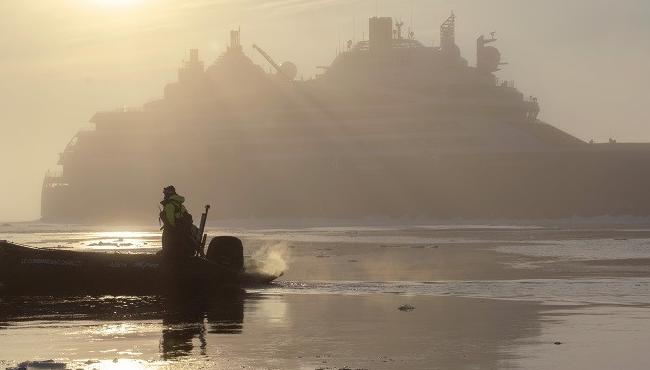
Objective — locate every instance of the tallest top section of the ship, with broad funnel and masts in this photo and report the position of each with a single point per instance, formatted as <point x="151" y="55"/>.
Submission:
<point x="393" y="60"/>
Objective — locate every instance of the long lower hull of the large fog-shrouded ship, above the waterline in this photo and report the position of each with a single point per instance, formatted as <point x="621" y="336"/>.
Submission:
<point x="587" y="182"/>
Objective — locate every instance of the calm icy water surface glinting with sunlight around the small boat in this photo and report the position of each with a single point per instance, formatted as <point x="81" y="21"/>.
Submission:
<point x="471" y="297"/>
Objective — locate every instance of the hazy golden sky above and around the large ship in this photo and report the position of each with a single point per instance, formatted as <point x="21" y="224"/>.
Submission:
<point x="63" y="60"/>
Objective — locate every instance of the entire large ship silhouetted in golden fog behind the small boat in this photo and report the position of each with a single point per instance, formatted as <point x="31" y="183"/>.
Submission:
<point x="391" y="130"/>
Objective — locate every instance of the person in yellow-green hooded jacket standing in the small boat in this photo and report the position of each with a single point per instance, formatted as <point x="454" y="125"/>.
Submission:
<point x="177" y="238"/>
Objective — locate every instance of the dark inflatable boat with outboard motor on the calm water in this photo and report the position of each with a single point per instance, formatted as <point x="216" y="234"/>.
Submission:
<point x="28" y="270"/>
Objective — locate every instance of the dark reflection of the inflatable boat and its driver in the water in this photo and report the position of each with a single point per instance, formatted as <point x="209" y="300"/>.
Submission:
<point x="183" y="317"/>
